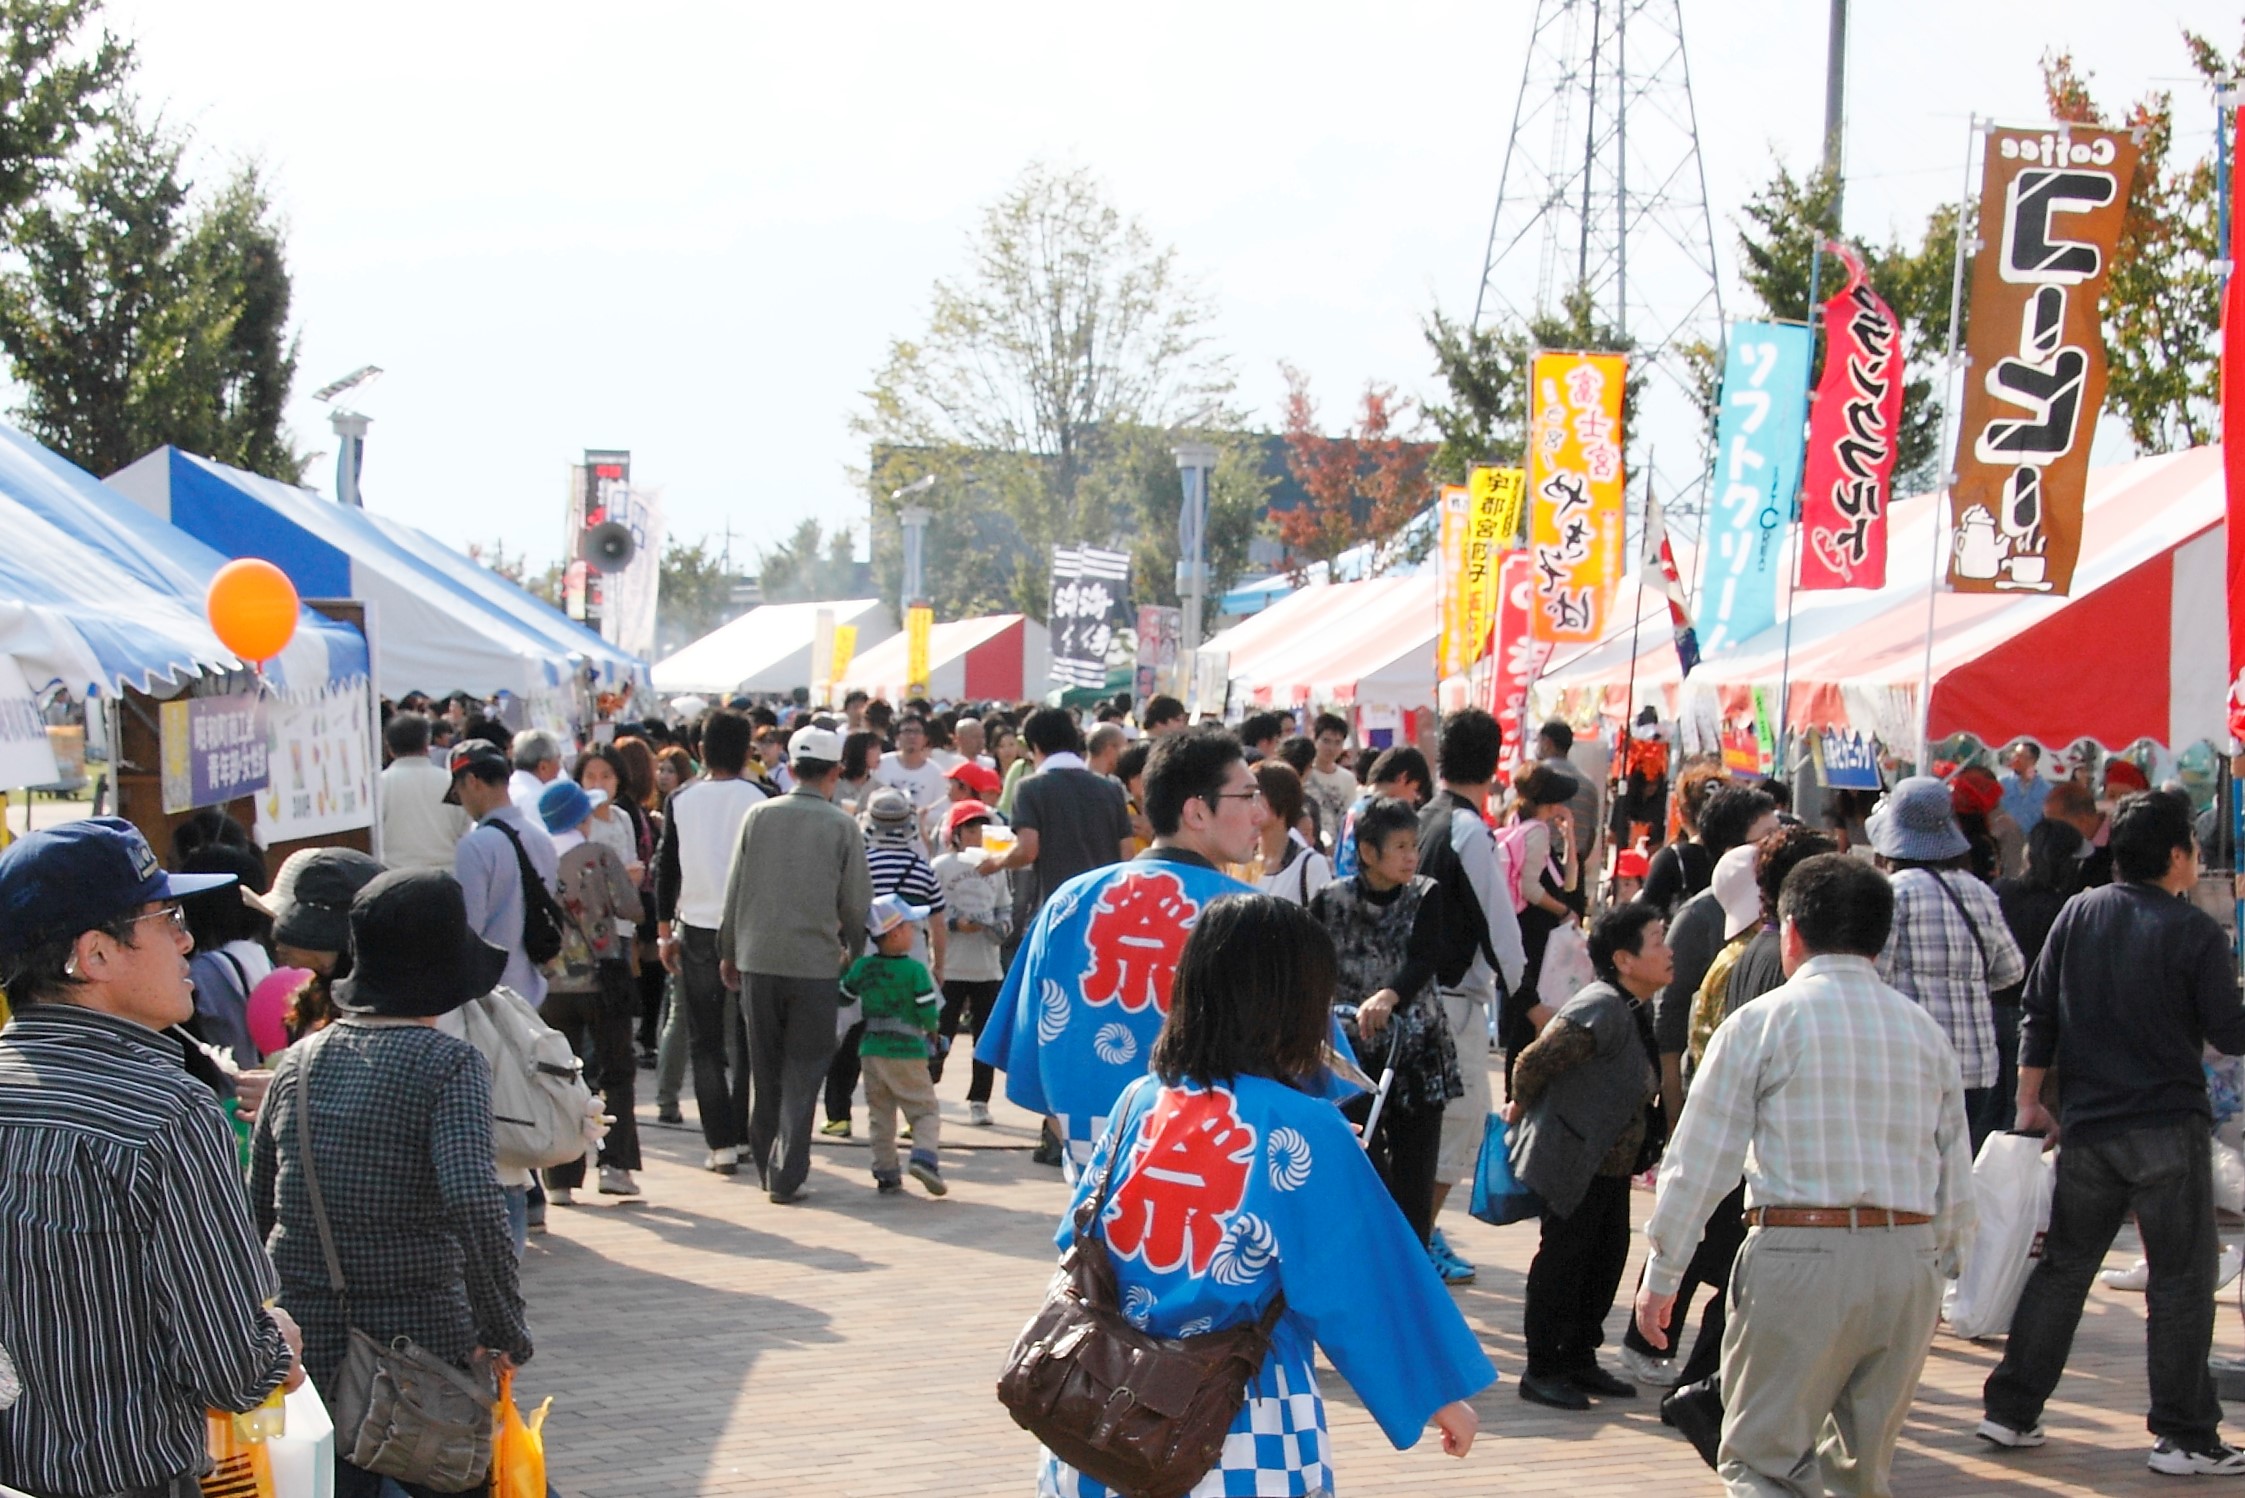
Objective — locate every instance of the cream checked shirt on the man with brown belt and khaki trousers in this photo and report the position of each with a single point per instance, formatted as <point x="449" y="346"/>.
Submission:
<point x="1849" y="1097"/>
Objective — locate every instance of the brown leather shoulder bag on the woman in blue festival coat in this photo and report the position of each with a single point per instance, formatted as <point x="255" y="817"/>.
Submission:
<point x="1130" y="1409"/>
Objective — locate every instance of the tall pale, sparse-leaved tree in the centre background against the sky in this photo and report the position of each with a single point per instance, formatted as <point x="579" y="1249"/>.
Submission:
<point x="1065" y="340"/>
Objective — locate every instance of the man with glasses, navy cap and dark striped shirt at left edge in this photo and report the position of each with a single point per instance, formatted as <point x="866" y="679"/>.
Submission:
<point x="136" y="1290"/>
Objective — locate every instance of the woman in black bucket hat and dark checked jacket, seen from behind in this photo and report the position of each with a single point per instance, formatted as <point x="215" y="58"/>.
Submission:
<point x="403" y="1151"/>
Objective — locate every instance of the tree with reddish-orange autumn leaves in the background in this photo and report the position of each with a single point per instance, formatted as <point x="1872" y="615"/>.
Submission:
<point x="1362" y="486"/>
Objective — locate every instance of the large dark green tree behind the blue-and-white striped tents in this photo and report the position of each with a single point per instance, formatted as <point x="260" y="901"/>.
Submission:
<point x="140" y="318"/>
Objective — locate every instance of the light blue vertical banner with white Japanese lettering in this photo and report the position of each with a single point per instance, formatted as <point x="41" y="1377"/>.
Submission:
<point x="1759" y="444"/>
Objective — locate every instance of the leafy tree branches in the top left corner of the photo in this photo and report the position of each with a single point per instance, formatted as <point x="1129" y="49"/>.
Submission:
<point x="55" y="86"/>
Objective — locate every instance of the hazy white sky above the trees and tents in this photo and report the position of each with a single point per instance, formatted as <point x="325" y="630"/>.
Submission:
<point x="690" y="230"/>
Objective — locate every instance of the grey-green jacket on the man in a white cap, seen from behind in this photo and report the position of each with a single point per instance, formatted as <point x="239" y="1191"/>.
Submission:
<point x="798" y="893"/>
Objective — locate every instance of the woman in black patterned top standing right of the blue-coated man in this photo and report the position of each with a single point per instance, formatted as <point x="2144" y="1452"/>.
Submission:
<point x="1386" y="933"/>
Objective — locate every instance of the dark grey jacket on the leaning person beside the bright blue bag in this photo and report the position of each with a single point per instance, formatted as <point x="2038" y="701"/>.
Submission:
<point x="1586" y="1111"/>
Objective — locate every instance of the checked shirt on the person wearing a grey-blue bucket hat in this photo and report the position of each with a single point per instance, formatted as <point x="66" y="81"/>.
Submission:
<point x="1950" y="962"/>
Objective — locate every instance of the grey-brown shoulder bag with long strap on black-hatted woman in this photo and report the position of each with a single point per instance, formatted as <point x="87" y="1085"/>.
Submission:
<point x="401" y="1412"/>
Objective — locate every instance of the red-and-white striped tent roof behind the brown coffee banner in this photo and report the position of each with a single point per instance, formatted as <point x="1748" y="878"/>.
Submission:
<point x="2138" y="652"/>
